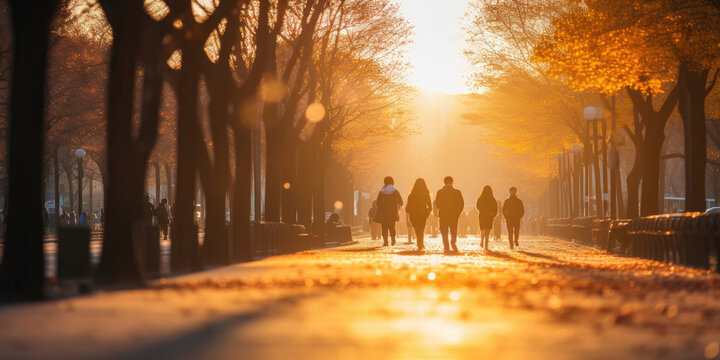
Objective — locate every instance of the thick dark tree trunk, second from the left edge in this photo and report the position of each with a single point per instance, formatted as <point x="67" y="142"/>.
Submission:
<point x="125" y="187"/>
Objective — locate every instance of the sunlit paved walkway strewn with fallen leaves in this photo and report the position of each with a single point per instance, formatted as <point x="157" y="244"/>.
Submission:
<point x="548" y="300"/>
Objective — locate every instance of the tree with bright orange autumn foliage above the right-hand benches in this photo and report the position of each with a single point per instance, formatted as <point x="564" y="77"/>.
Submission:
<point x="638" y="47"/>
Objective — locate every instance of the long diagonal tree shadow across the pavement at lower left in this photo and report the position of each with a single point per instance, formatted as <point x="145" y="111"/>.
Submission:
<point x="194" y="342"/>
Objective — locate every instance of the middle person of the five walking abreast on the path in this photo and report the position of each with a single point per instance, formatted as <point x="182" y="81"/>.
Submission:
<point x="449" y="203"/>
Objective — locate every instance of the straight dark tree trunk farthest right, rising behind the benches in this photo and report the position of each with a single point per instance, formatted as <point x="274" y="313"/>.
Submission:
<point x="692" y="110"/>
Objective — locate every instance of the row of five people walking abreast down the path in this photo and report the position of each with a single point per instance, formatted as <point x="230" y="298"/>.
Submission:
<point x="448" y="207"/>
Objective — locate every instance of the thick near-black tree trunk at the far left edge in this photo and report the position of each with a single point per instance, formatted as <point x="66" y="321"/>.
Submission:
<point x="22" y="272"/>
